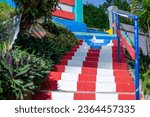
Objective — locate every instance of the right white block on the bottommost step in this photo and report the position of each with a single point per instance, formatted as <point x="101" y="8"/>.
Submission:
<point x="104" y="96"/>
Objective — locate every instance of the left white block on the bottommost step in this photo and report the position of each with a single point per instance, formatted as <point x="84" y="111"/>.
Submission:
<point x="62" y="96"/>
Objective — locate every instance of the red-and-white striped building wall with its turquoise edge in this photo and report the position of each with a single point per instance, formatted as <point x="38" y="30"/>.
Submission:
<point x="70" y="9"/>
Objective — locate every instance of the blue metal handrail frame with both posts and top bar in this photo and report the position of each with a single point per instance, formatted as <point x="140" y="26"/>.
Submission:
<point x="125" y="14"/>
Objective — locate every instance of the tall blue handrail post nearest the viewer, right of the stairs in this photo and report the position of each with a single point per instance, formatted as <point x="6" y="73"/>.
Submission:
<point x="136" y="42"/>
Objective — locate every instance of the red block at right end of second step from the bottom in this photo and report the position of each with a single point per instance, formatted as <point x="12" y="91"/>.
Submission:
<point x="125" y="87"/>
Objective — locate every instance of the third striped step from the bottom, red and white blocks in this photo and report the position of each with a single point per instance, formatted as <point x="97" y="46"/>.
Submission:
<point x="104" y="78"/>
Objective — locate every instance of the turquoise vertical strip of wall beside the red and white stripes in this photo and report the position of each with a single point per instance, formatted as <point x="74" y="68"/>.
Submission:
<point x="78" y="10"/>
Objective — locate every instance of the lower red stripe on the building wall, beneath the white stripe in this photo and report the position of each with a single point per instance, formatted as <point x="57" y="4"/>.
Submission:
<point x="64" y="14"/>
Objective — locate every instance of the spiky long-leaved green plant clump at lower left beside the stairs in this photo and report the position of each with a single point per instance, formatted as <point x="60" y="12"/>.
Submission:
<point x="20" y="72"/>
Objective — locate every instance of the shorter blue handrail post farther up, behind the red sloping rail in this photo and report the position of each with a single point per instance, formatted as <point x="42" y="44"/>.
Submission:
<point x="118" y="28"/>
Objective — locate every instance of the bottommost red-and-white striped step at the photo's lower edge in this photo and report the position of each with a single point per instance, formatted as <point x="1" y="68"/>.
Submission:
<point x="82" y="96"/>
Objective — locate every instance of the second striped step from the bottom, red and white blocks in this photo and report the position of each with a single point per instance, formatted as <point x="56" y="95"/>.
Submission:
<point x="88" y="86"/>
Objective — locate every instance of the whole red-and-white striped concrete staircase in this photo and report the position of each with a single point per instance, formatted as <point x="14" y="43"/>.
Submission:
<point x="88" y="74"/>
